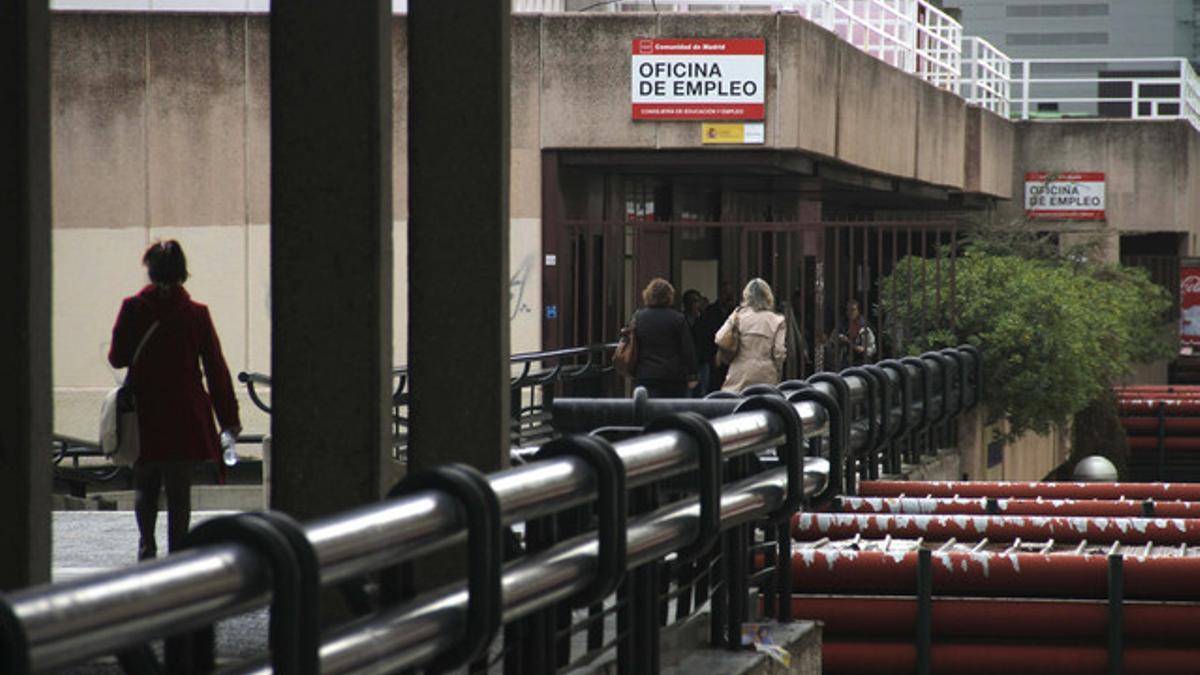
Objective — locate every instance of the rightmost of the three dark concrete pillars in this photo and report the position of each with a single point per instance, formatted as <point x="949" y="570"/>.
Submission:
<point x="459" y="232"/>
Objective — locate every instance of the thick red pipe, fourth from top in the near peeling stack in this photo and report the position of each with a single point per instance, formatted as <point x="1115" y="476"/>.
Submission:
<point x="991" y="575"/>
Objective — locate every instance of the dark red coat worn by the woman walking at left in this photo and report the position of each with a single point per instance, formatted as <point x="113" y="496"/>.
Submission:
<point x="175" y="410"/>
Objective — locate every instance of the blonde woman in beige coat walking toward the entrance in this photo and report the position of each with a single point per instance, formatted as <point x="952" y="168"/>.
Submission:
<point x="760" y="337"/>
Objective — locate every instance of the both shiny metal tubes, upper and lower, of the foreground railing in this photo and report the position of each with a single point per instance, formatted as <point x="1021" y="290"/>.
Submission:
<point x="65" y="624"/>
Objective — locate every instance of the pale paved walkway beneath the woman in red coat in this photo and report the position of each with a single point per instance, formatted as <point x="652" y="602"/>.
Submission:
<point x="91" y="542"/>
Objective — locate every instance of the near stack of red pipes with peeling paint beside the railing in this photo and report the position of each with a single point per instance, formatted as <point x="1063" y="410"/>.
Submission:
<point x="1021" y="577"/>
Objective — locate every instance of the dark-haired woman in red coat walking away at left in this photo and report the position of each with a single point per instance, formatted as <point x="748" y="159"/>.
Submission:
<point x="175" y="410"/>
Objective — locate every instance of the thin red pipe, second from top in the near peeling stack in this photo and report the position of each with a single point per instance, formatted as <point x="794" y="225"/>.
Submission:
<point x="979" y="506"/>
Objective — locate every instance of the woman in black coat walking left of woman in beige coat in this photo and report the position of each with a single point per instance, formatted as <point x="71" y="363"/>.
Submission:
<point x="667" y="356"/>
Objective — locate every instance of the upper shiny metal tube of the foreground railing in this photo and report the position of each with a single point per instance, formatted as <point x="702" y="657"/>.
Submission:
<point x="70" y="623"/>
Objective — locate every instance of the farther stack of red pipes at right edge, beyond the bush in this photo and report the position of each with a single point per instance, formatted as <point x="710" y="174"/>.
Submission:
<point x="1163" y="427"/>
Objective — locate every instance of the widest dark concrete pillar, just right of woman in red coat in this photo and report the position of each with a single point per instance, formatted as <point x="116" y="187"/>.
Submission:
<point x="332" y="254"/>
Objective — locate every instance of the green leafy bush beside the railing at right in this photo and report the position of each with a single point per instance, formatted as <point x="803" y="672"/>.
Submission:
<point x="1055" y="331"/>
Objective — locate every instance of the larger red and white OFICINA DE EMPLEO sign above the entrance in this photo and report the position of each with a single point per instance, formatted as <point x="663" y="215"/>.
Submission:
<point x="698" y="79"/>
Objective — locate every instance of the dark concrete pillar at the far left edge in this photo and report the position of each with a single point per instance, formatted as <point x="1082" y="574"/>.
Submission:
<point x="26" y="295"/>
